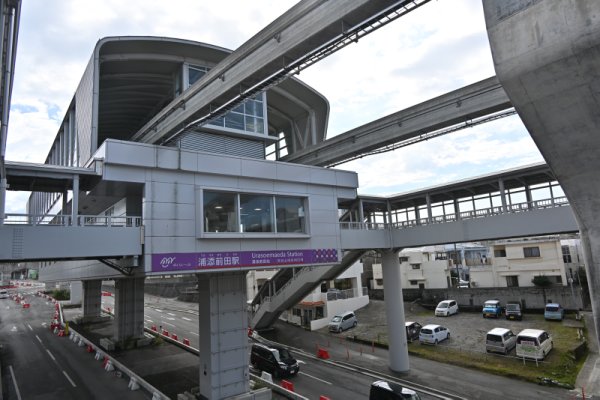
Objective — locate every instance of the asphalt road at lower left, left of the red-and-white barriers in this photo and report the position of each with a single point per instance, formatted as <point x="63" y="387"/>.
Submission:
<point x="36" y="364"/>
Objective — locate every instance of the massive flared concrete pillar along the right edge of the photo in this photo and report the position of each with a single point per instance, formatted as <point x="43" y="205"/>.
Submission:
<point x="546" y="58"/>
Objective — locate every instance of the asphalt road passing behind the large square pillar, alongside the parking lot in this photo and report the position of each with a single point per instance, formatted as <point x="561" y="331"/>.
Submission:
<point x="318" y="378"/>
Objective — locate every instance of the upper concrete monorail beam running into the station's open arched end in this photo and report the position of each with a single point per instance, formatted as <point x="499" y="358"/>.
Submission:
<point x="305" y="34"/>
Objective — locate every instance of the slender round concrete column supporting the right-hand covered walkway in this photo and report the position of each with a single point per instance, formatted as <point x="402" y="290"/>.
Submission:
<point x="394" y="310"/>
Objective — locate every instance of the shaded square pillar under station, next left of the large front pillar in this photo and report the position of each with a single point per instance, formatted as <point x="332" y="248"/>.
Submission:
<point x="129" y="308"/>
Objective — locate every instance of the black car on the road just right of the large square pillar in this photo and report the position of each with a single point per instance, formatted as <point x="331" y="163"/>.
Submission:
<point x="276" y="360"/>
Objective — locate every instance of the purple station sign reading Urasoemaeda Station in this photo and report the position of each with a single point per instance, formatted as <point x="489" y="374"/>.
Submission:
<point x="167" y="262"/>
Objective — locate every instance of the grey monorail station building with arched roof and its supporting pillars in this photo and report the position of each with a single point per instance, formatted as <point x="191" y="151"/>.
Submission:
<point x="205" y="202"/>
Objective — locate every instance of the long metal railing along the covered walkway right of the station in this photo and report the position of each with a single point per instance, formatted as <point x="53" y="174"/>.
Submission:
<point x="484" y="212"/>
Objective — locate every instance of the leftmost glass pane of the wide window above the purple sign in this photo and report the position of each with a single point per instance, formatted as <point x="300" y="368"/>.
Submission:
<point x="220" y="212"/>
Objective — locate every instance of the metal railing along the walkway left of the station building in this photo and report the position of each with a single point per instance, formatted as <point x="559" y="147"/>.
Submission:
<point x="68" y="220"/>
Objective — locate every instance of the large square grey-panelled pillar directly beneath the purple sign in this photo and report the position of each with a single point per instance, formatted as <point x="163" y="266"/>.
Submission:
<point x="223" y="335"/>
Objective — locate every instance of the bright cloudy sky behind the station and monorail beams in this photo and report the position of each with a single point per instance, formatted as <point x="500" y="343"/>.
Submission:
<point x="435" y="49"/>
